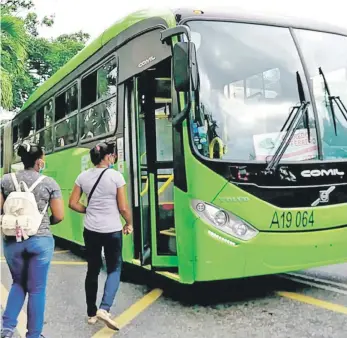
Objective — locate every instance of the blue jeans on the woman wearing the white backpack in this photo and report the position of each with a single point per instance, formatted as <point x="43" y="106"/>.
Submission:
<point x="29" y="263"/>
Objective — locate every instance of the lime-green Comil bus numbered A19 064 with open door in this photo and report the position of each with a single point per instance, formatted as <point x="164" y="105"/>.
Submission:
<point x="231" y="132"/>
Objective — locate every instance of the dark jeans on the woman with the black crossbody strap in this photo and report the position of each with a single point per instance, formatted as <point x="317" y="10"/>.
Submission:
<point x="112" y="244"/>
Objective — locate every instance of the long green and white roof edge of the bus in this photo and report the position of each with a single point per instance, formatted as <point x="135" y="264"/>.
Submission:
<point x="170" y="16"/>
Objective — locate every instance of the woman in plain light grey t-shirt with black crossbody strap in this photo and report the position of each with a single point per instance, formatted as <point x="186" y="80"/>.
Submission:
<point x="105" y="190"/>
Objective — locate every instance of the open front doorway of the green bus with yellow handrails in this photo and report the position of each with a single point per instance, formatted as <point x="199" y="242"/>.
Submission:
<point x="151" y="148"/>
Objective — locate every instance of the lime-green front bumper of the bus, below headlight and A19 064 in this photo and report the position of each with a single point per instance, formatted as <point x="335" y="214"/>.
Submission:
<point x="219" y="256"/>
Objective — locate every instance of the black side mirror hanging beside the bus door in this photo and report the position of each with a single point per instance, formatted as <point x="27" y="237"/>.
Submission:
<point x="185" y="66"/>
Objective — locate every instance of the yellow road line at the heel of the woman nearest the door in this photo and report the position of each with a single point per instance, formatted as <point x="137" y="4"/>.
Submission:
<point x="128" y="315"/>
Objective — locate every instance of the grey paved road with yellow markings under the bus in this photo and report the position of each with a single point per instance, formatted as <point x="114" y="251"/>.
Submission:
<point x="265" y="307"/>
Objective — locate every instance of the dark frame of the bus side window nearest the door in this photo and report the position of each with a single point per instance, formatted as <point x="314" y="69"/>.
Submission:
<point x="113" y="55"/>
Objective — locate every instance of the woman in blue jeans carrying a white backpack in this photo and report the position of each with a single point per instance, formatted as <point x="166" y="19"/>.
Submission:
<point x="27" y="241"/>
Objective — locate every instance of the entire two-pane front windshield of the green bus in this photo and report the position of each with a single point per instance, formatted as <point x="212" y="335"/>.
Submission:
<point x="249" y="87"/>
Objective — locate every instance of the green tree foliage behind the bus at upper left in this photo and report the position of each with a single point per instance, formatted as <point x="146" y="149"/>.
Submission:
<point x="27" y="59"/>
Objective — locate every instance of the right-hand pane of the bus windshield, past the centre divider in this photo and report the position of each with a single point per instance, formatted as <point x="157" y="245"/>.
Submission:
<point x="328" y="52"/>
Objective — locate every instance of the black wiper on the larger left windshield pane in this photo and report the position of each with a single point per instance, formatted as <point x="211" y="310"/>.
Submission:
<point x="292" y="127"/>
